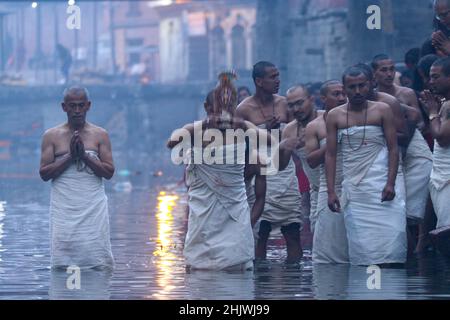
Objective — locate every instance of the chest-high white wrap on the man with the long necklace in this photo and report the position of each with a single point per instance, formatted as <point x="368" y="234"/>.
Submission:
<point x="376" y="230"/>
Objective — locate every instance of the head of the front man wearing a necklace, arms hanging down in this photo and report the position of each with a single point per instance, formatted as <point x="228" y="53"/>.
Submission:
<point x="356" y="85"/>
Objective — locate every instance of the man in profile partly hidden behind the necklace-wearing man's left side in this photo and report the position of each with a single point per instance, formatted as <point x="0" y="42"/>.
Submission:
<point x="330" y="238"/>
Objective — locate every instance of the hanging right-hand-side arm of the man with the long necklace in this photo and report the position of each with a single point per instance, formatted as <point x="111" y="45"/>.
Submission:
<point x="391" y="140"/>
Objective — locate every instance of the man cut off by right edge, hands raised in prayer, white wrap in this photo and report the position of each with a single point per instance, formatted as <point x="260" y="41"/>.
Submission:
<point x="440" y="129"/>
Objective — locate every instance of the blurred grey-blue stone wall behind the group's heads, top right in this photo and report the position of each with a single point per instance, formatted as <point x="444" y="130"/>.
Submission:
<point x="313" y="40"/>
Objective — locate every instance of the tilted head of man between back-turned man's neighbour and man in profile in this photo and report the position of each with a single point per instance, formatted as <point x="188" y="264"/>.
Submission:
<point x="300" y="102"/>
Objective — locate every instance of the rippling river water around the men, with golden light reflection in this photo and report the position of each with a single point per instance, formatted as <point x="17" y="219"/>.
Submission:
<point x="148" y="227"/>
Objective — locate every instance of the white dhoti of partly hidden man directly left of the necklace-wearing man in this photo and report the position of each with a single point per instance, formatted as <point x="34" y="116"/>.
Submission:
<point x="330" y="243"/>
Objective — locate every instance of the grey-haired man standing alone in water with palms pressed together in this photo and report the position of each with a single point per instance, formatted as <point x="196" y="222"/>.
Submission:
<point x="76" y="156"/>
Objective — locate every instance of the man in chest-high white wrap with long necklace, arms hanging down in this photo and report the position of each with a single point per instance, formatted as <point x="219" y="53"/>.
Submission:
<point x="375" y="218"/>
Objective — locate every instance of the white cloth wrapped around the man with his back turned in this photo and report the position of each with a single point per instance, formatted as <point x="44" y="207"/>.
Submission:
<point x="219" y="232"/>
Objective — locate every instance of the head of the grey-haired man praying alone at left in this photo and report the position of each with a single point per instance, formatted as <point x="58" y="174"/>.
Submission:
<point x="76" y="104"/>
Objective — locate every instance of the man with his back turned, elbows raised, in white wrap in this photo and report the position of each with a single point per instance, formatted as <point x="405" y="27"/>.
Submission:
<point x="219" y="233"/>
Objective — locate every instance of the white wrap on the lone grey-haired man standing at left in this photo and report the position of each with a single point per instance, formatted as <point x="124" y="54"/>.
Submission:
<point x="79" y="220"/>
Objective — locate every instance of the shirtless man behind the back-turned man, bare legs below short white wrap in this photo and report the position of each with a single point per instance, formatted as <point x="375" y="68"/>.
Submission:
<point x="268" y="110"/>
